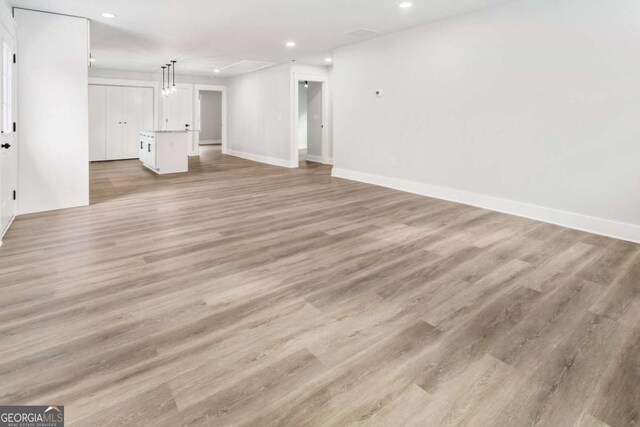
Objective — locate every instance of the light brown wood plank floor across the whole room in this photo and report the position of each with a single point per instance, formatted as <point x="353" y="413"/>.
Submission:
<point x="246" y="294"/>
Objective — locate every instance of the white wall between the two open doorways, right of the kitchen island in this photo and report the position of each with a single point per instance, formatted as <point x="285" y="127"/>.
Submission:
<point x="259" y="116"/>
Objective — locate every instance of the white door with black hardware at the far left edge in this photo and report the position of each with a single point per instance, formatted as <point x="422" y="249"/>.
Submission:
<point x="8" y="138"/>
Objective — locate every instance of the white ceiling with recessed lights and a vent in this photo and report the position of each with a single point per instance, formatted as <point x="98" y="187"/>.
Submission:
<point x="204" y="35"/>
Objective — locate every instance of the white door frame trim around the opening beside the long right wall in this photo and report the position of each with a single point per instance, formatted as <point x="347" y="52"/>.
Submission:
<point x="324" y="80"/>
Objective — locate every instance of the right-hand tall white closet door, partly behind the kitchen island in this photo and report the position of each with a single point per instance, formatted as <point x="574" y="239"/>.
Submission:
<point x="138" y="116"/>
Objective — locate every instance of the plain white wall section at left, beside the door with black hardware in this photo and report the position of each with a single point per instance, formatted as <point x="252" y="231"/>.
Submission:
<point x="53" y="110"/>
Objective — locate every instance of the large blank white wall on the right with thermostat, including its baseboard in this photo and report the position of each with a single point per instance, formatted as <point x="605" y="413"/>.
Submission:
<point x="531" y="108"/>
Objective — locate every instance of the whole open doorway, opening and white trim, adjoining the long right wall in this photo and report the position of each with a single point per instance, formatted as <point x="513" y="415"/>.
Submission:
<point x="310" y="141"/>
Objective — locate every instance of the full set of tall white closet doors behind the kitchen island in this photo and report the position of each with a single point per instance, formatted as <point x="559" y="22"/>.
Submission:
<point x="116" y="116"/>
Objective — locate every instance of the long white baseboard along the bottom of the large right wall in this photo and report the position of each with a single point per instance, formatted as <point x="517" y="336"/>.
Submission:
<point x="604" y="227"/>
